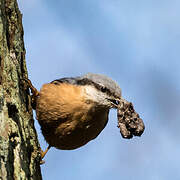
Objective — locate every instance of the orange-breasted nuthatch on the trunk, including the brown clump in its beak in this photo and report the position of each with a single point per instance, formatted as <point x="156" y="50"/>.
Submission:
<point x="73" y="111"/>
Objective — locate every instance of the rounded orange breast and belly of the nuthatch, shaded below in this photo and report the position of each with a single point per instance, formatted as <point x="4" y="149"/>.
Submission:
<point x="68" y="120"/>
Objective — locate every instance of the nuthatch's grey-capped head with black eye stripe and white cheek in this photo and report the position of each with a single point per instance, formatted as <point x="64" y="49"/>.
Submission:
<point x="100" y="89"/>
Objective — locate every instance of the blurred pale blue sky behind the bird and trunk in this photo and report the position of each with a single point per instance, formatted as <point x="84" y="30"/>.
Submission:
<point x="136" y="43"/>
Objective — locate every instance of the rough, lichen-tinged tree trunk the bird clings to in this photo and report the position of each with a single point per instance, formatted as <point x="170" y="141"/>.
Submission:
<point x="19" y="147"/>
